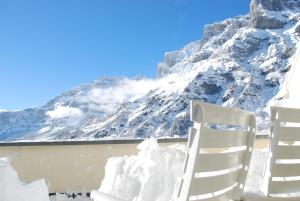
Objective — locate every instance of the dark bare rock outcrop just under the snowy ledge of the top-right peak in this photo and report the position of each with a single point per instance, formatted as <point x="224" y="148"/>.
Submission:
<point x="265" y="22"/>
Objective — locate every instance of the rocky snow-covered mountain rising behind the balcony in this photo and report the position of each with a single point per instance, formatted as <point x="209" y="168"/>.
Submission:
<point x="240" y="62"/>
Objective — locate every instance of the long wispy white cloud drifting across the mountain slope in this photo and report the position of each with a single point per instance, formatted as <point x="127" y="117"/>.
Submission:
<point x="107" y="99"/>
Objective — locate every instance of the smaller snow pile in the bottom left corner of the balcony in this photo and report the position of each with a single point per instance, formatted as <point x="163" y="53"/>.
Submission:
<point x="12" y="189"/>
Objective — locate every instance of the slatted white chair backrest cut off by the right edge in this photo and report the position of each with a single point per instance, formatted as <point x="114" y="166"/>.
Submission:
<point x="284" y="165"/>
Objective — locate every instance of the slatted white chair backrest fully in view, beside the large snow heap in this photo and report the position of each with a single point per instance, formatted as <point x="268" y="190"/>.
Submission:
<point x="219" y="149"/>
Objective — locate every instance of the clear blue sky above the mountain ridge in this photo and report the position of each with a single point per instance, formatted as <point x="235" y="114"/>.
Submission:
<point x="50" y="46"/>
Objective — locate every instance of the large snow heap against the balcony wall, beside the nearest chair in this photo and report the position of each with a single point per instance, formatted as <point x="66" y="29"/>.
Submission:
<point x="151" y="175"/>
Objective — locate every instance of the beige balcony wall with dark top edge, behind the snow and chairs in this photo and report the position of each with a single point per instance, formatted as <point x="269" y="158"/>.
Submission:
<point x="73" y="166"/>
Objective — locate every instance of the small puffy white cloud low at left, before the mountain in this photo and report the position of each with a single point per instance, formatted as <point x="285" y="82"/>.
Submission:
<point x="65" y="112"/>
